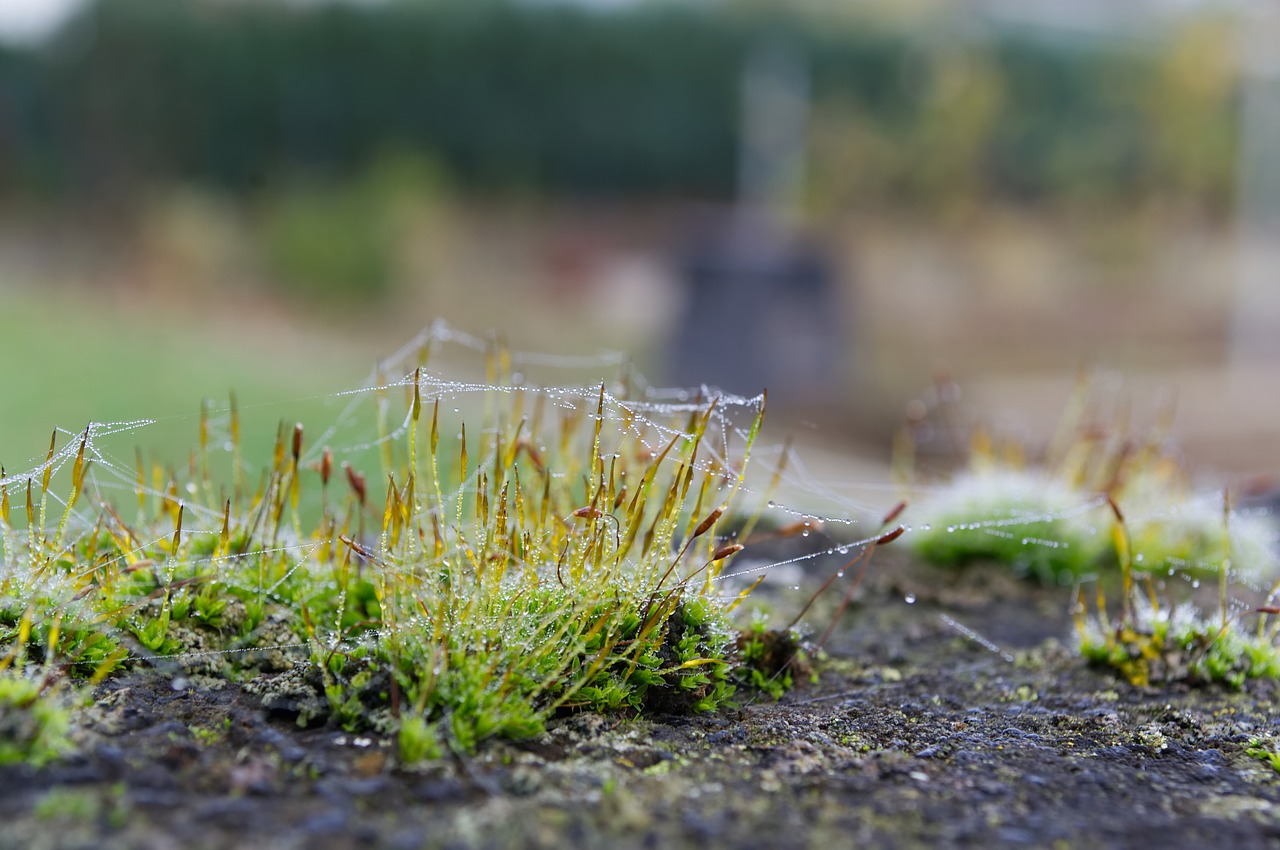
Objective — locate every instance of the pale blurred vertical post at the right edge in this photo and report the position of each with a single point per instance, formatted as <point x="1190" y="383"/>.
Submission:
<point x="1256" y="325"/>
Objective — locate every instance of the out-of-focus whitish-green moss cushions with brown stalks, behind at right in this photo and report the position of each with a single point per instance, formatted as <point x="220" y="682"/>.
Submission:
<point x="1044" y="519"/>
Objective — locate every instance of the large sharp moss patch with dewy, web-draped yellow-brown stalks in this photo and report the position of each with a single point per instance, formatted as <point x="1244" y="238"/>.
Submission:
<point x="561" y="552"/>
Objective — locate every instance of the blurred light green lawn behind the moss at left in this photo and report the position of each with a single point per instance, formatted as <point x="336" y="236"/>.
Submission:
<point x="76" y="358"/>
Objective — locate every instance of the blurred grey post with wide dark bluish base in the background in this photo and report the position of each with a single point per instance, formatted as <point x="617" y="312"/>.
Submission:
<point x="769" y="287"/>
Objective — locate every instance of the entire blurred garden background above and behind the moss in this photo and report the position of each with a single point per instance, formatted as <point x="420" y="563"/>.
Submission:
<point x="851" y="203"/>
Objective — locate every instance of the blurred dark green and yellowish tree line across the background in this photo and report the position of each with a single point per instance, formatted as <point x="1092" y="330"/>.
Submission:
<point x="643" y="100"/>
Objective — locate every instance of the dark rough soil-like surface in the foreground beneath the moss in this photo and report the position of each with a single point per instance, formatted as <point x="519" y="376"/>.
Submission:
<point x="962" y="719"/>
